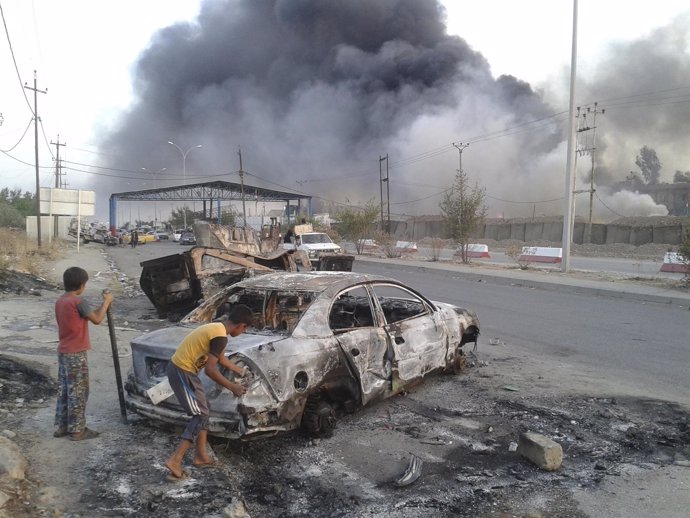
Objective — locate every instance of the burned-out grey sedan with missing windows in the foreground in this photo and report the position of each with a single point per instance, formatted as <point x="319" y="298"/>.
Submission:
<point x="322" y="343"/>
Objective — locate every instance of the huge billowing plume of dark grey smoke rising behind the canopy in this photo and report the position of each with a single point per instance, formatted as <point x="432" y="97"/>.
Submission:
<point x="314" y="92"/>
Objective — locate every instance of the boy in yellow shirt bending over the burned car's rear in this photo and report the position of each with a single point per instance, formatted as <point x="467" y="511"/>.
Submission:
<point x="203" y="349"/>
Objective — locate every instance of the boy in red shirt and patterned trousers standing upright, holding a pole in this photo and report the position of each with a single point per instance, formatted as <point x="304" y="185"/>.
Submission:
<point x="73" y="315"/>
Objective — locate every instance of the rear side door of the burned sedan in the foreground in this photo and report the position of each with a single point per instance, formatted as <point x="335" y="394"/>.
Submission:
<point x="359" y="332"/>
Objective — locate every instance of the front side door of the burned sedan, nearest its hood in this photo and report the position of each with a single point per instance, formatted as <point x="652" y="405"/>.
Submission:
<point x="415" y="331"/>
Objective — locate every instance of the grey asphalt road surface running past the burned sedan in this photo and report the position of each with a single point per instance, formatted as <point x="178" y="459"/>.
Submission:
<point x="643" y="347"/>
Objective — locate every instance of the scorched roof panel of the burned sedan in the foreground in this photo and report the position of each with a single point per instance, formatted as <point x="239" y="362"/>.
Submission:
<point x="310" y="281"/>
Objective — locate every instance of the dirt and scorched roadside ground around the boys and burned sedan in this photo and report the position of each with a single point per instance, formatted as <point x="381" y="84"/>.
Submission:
<point x="616" y="448"/>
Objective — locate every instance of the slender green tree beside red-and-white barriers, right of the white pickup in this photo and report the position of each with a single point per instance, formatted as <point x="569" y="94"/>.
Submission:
<point x="463" y="210"/>
